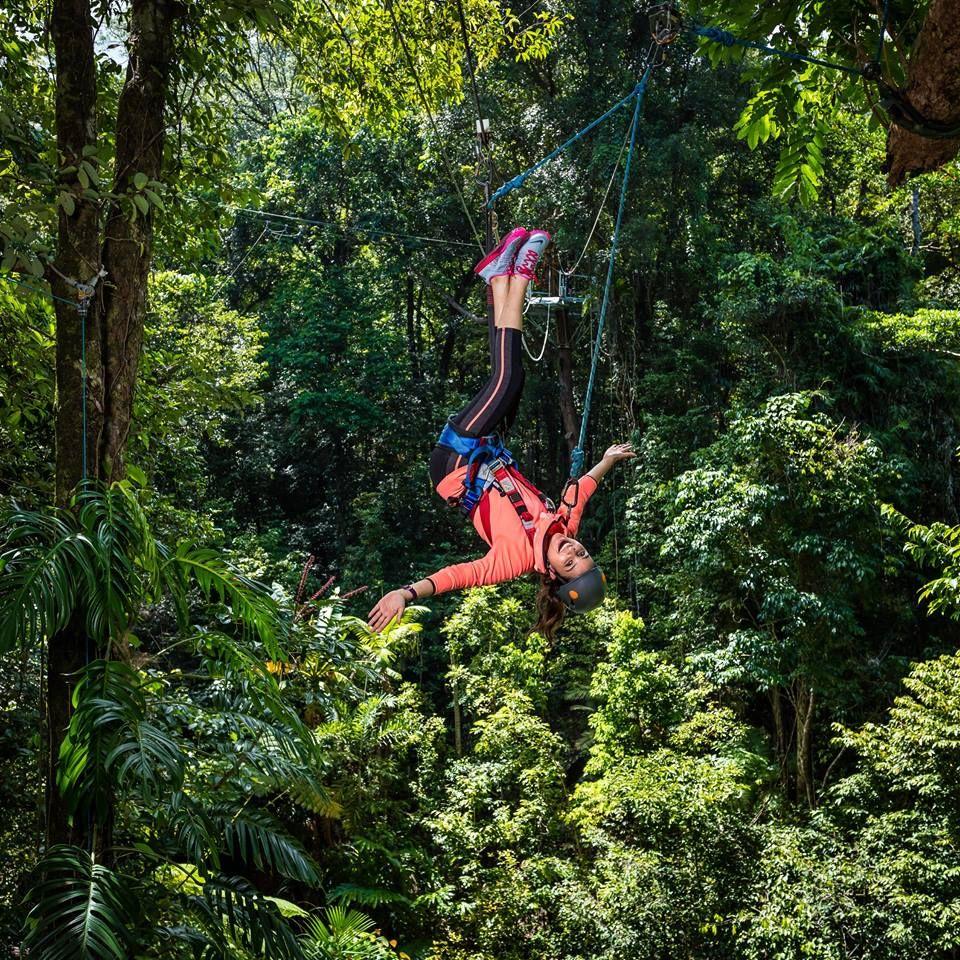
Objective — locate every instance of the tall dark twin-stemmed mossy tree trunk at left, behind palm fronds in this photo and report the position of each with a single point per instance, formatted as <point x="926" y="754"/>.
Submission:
<point x="89" y="239"/>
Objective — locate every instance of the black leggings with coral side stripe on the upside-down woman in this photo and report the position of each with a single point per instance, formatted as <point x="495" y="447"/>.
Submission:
<point x="494" y="406"/>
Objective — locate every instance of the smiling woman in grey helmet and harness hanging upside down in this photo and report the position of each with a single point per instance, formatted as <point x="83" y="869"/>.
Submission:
<point x="472" y="469"/>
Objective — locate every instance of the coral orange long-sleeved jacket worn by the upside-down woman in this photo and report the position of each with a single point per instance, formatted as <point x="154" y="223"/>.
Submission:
<point x="511" y="552"/>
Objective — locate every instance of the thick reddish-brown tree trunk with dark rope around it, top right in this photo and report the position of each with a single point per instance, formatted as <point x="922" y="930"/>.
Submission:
<point x="933" y="88"/>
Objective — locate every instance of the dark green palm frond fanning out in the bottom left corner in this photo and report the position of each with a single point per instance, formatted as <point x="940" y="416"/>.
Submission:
<point x="81" y="910"/>
